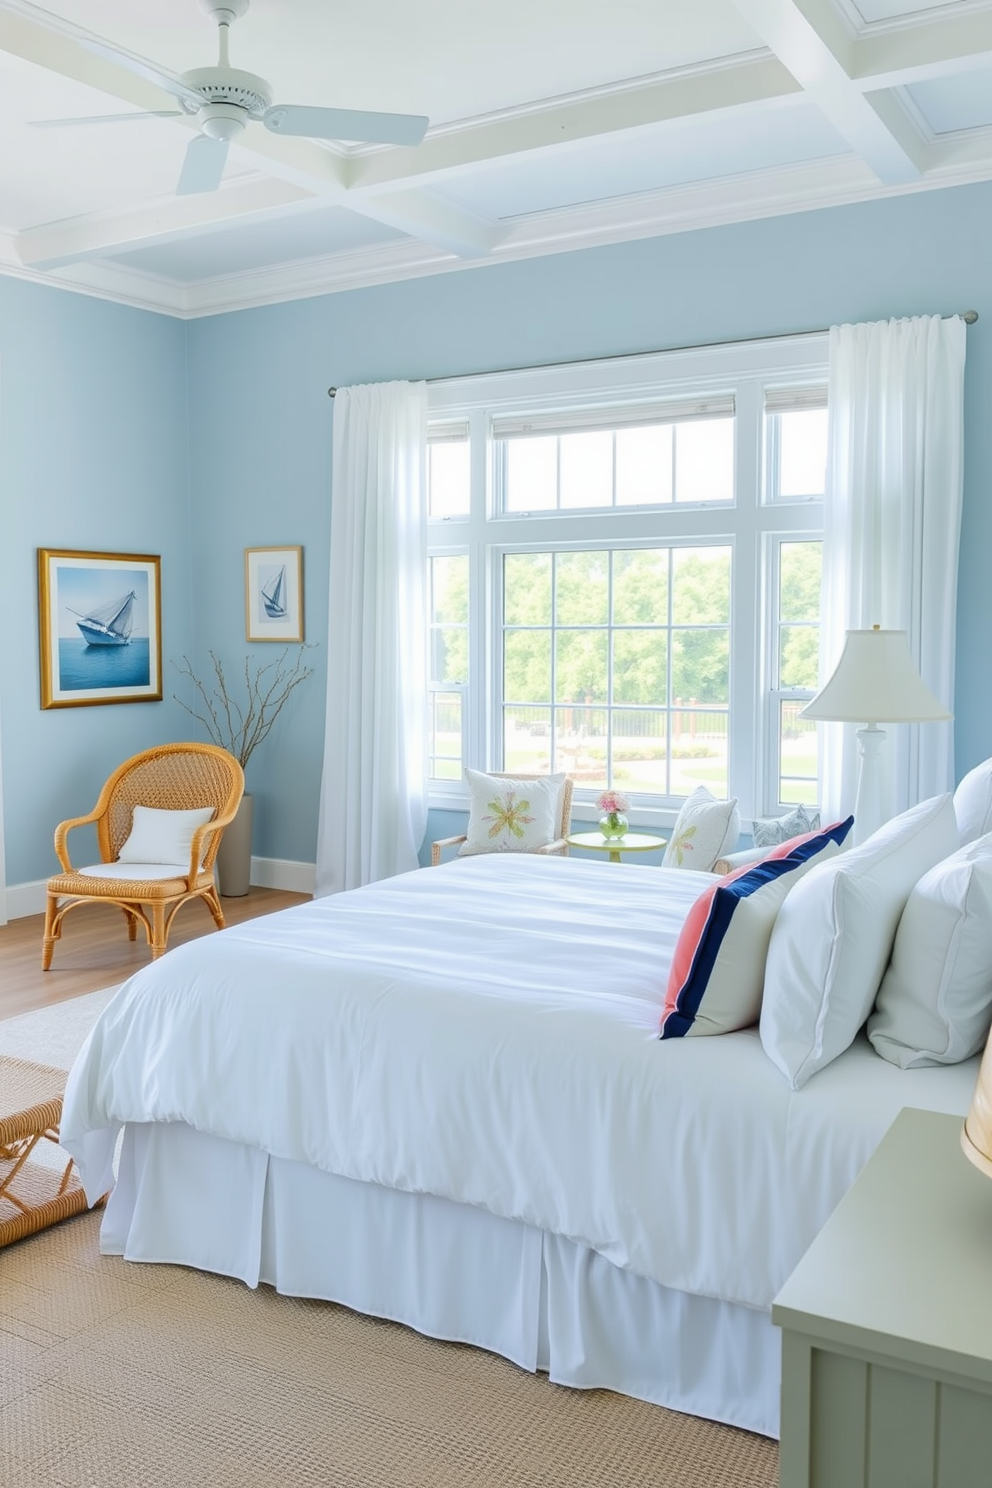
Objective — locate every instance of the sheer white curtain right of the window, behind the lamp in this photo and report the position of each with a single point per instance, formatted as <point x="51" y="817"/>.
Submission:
<point x="893" y="525"/>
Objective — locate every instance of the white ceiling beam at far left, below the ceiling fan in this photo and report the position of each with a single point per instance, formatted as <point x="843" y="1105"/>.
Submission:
<point x="96" y="237"/>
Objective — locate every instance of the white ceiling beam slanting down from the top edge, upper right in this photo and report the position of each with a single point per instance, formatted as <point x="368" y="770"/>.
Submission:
<point x="819" y="51"/>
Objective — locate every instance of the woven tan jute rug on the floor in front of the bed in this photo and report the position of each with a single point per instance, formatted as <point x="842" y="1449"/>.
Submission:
<point x="120" y="1376"/>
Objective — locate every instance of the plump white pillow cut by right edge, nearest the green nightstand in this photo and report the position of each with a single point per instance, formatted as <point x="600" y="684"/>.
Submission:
<point x="935" y="1005"/>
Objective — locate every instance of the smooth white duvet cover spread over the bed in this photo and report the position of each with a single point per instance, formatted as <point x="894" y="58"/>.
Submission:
<point x="489" y="1032"/>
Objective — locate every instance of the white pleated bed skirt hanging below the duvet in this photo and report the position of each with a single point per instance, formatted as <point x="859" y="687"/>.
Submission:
<point x="442" y="1269"/>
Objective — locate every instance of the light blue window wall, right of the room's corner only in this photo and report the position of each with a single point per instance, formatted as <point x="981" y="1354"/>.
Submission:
<point x="261" y="422"/>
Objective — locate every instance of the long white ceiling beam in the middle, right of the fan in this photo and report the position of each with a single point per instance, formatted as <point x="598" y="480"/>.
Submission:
<point x="460" y="150"/>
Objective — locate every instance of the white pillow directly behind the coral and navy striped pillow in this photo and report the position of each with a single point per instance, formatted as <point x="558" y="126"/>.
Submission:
<point x="834" y="937"/>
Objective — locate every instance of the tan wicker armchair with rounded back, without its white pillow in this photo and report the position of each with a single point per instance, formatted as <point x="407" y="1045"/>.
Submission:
<point x="172" y="777"/>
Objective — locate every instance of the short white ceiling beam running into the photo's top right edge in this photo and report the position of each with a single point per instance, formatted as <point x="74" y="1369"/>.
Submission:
<point x="920" y="50"/>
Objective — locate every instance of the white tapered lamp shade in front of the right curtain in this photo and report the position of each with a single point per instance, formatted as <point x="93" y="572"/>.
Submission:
<point x="877" y="682"/>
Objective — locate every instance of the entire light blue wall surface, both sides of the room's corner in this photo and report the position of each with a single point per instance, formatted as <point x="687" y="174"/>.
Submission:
<point x="97" y="405"/>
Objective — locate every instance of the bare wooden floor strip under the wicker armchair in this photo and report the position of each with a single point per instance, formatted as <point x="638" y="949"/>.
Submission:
<point x="94" y="950"/>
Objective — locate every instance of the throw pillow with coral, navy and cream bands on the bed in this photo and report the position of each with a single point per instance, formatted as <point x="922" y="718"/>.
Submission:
<point x="719" y="966"/>
